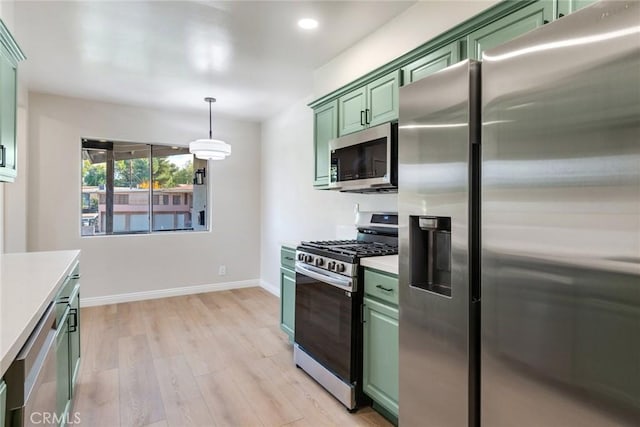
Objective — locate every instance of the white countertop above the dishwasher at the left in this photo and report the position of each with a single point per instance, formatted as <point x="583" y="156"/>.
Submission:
<point x="28" y="283"/>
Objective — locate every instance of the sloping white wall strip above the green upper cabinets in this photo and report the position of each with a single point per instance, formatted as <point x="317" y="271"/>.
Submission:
<point x="417" y="25"/>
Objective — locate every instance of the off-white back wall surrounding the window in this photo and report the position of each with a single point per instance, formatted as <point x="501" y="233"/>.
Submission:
<point x="126" y="264"/>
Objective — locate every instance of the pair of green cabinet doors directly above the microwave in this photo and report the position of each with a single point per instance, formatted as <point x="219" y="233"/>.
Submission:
<point x="369" y="105"/>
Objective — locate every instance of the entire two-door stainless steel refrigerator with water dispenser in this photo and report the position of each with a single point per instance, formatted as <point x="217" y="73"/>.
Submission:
<point x="519" y="211"/>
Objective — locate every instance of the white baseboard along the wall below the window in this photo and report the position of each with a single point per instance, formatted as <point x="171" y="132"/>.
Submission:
<point x="172" y="292"/>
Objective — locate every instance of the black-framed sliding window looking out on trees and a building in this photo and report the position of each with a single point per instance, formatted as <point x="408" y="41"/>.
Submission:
<point x="132" y="188"/>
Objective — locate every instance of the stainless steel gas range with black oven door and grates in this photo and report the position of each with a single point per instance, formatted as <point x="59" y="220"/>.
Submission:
<point x="329" y="300"/>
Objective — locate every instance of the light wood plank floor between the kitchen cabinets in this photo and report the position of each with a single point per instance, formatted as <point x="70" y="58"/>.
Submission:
<point x="214" y="359"/>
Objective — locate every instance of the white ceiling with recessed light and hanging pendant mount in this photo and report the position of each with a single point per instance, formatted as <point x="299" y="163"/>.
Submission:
<point x="250" y="55"/>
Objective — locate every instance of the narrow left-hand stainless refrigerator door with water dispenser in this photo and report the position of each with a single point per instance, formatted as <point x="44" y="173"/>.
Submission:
<point x="433" y="204"/>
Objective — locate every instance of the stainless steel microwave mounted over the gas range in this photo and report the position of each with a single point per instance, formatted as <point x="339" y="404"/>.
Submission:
<point x="365" y="161"/>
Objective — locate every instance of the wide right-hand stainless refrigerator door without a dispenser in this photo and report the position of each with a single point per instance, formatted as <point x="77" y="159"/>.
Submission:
<point x="561" y="223"/>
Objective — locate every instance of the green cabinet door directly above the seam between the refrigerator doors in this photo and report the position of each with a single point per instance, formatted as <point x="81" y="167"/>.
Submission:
<point x="509" y="27"/>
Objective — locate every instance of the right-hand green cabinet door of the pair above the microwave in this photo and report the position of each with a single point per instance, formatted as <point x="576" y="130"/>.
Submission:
<point x="382" y="99"/>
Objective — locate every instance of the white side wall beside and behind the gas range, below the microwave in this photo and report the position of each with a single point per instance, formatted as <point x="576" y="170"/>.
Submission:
<point x="291" y="209"/>
